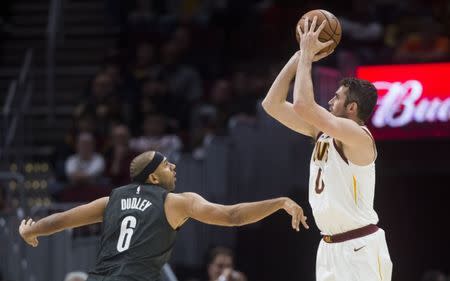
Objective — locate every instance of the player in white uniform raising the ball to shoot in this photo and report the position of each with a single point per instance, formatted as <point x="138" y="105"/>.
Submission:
<point x="342" y="167"/>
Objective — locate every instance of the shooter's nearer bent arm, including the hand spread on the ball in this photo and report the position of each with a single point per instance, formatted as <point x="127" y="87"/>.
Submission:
<point x="343" y="129"/>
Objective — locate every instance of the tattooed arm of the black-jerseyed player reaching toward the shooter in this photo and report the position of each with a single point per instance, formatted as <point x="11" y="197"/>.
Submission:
<point x="180" y="207"/>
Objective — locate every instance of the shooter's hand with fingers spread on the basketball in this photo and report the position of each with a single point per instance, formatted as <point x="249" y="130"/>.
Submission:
<point x="309" y="39"/>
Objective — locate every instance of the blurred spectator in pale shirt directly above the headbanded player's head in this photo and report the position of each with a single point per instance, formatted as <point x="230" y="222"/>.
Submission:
<point x="156" y="136"/>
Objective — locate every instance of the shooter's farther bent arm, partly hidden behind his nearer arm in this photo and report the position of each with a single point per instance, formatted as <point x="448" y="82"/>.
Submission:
<point x="276" y="105"/>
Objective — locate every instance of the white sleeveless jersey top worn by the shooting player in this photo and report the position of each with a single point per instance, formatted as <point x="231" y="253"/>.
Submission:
<point x="340" y="193"/>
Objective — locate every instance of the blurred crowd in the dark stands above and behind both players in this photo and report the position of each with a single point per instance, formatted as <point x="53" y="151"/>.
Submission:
<point x="183" y="72"/>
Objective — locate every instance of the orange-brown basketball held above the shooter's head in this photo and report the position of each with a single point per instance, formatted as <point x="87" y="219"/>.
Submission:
<point x="331" y="31"/>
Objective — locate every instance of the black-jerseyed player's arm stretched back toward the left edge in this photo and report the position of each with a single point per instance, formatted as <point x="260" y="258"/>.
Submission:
<point x="82" y="215"/>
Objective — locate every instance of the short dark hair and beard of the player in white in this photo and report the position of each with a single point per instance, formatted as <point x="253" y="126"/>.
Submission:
<point x="363" y="93"/>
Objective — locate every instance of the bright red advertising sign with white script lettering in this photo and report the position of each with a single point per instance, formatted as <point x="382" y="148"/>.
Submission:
<point x="413" y="100"/>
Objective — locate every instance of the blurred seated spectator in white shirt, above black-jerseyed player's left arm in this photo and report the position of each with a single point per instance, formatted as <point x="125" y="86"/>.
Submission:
<point x="85" y="166"/>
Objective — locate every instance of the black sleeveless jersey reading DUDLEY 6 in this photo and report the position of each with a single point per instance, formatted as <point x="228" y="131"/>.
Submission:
<point x="137" y="239"/>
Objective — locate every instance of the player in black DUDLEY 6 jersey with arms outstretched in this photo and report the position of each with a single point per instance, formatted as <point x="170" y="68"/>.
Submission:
<point x="141" y="220"/>
